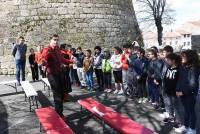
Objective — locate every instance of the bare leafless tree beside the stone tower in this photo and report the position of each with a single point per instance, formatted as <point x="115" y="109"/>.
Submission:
<point x="156" y="11"/>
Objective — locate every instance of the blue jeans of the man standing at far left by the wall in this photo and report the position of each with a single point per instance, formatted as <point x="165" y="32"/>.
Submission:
<point x="20" y="67"/>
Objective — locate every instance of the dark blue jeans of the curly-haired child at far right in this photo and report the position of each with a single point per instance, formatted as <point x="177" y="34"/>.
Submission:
<point x="189" y="108"/>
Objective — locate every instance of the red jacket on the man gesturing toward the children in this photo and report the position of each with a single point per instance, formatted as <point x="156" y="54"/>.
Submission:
<point x="53" y="60"/>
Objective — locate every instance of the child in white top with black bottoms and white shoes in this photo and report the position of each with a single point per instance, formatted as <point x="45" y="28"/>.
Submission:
<point x="117" y="70"/>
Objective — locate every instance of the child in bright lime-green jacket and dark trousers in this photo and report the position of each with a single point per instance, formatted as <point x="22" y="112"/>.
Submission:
<point x="107" y="71"/>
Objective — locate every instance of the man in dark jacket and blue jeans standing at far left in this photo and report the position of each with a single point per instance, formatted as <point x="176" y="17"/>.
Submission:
<point x="19" y="52"/>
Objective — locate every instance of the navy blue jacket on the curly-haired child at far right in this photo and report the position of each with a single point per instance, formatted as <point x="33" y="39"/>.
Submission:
<point x="188" y="80"/>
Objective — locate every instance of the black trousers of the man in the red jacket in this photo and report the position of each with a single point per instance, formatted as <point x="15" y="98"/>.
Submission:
<point x="57" y="83"/>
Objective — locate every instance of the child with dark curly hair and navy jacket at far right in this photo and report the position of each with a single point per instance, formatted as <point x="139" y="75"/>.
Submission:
<point x="187" y="89"/>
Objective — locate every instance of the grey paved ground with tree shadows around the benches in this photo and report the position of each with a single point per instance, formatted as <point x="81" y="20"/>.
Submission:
<point x="15" y="117"/>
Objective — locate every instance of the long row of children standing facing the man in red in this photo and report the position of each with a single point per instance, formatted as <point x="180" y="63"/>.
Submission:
<point x="162" y="78"/>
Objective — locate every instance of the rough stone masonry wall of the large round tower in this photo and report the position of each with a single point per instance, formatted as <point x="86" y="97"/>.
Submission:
<point x="83" y="23"/>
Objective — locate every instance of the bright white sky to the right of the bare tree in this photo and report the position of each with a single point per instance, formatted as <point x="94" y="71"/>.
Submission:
<point x="185" y="10"/>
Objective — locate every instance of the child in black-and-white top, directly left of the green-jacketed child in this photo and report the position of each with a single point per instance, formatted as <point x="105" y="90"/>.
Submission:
<point x="97" y="67"/>
